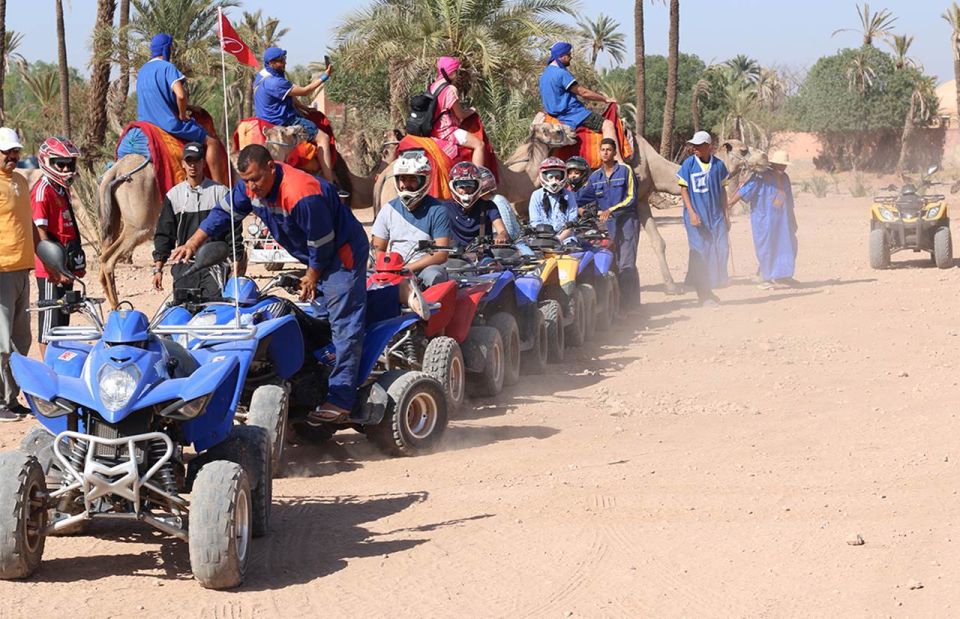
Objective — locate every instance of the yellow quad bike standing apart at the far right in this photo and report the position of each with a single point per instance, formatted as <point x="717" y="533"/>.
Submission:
<point x="910" y="219"/>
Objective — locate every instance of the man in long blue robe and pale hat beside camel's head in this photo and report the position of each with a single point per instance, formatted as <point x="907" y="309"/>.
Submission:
<point x="772" y="220"/>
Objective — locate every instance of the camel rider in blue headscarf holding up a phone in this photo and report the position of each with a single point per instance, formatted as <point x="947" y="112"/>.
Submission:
<point x="275" y="101"/>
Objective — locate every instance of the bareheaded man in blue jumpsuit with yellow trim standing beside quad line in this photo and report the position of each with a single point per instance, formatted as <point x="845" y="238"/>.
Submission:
<point x="613" y="186"/>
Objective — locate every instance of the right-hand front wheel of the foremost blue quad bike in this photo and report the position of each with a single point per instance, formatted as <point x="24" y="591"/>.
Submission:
<point x="220" y="525"/>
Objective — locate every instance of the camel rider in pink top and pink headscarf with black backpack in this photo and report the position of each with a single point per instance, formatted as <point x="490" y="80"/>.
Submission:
<point x="450" y="114"/>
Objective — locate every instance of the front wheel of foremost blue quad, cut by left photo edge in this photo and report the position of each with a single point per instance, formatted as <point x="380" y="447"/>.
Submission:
<point x="23" y="514"/>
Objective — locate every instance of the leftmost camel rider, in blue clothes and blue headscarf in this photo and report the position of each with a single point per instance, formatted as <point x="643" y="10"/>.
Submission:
<point x="162" y="100"/>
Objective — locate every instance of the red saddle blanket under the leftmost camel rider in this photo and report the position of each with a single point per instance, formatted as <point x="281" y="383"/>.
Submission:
<point x="163" y="149"/>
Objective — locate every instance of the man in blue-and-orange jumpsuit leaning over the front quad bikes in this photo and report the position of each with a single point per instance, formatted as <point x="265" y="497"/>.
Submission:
<point x="305" y="215"/>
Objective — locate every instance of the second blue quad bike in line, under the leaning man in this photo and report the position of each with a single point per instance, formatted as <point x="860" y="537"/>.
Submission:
<point x="404" y="413"/>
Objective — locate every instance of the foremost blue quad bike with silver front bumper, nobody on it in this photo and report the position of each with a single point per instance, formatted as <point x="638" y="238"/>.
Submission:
<point x="136" y="427"/>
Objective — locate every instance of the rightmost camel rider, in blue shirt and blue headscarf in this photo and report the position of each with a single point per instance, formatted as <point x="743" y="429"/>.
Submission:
<point x="559" y="91"/>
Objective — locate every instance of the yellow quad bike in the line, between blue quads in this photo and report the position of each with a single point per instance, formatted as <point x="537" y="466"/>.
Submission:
<point x="561" y="294"/>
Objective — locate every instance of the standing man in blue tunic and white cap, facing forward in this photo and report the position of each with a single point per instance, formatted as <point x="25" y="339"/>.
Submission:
<point x="702" y="178"/>
